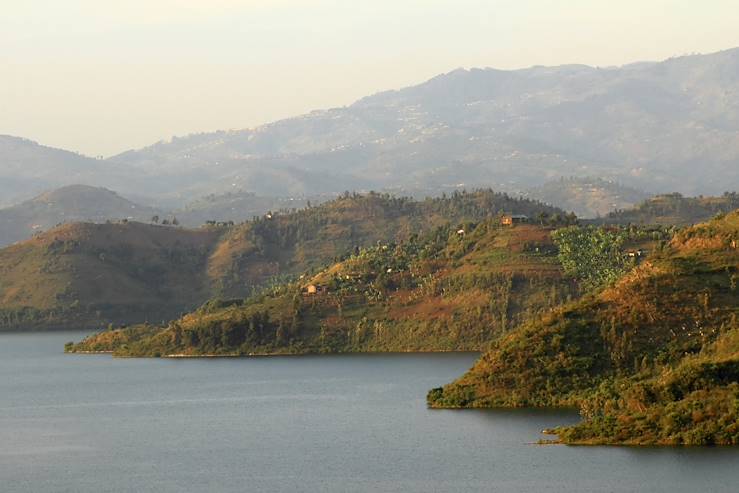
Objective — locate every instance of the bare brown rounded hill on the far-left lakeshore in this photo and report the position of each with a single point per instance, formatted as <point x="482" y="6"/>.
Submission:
<point x="85" y="275"/>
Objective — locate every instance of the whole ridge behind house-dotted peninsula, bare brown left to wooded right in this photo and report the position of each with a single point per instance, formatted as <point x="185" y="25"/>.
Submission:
<point x="88" y="275"/>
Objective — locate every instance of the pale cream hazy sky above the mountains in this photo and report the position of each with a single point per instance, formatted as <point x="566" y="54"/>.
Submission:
<point x="99" y="76"/>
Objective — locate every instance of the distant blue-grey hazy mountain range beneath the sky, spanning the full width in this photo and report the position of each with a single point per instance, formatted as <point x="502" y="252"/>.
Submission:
<point x="659" y="127"/>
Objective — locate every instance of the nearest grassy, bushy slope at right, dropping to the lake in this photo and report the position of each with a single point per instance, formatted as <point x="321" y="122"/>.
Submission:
<point x="668" y="326"/>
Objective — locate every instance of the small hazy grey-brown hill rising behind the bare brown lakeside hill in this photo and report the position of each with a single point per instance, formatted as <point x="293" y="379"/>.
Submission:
<point x="73" y="203"/>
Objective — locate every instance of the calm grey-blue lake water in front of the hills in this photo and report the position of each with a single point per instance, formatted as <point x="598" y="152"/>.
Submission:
<point x="321" y="423"/>
